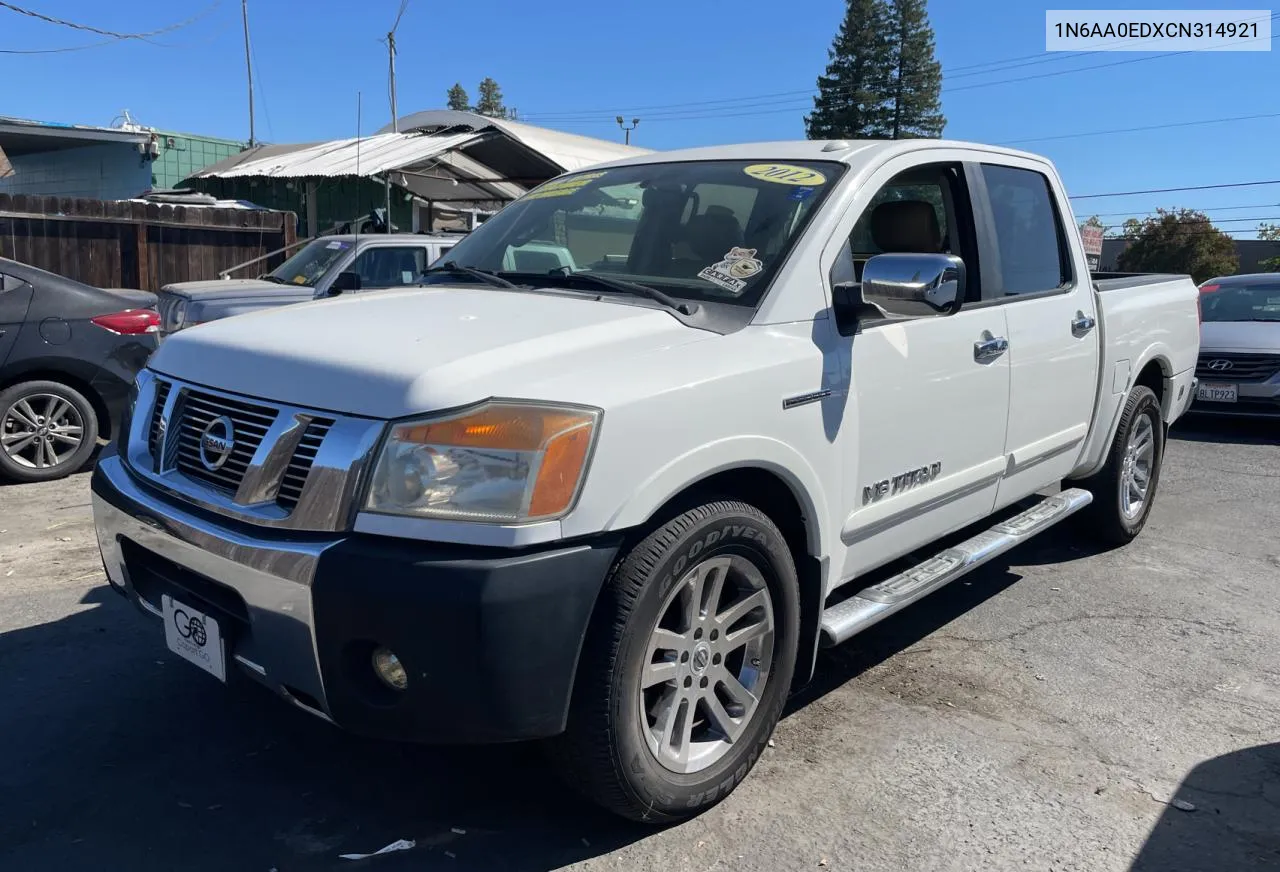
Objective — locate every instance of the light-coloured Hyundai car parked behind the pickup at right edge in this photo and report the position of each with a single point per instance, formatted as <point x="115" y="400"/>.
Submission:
<point x="1240" y="362"/>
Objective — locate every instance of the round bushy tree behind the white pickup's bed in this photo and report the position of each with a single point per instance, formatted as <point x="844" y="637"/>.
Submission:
<point x="1178" y="241"/>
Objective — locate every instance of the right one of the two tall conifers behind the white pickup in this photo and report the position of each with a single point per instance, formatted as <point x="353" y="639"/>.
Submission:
<point x="917" y="99"/>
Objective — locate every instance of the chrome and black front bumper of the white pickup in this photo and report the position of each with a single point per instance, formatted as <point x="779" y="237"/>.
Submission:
<point x="490" y="637"/>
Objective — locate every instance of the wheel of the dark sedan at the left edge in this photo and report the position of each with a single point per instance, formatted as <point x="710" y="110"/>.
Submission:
<point x="24" y="410"/>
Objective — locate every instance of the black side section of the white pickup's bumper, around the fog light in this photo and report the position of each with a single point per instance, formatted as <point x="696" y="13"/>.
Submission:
<point x="490" y="638"/>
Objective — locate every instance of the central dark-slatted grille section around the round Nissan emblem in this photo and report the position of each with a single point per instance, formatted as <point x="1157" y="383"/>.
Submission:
<point x="250" y="423"/>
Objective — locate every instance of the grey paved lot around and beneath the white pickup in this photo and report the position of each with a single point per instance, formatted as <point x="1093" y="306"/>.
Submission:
<point x="1058" y="710"/>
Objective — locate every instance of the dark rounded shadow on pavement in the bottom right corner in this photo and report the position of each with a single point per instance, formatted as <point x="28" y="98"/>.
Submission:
<point x="1235" y="824"/>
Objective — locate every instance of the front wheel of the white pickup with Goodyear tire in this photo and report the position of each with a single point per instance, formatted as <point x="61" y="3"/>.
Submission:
<point x="611" y="751"/>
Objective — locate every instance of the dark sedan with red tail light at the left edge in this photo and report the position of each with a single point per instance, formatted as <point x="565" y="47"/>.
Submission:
<point x="68" y="358"/>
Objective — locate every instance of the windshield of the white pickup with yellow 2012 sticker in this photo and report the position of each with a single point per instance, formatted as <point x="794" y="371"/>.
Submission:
<point x="707" y="231"/>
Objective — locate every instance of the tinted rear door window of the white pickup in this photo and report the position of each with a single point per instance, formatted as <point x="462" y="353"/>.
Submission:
<point x="1030" y="239"/>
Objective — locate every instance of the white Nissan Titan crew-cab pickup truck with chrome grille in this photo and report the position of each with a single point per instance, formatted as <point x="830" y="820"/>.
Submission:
<point x="646" y="441"/>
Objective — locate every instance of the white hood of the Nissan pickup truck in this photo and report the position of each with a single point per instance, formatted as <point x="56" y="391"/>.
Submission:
<point x="406" y="353"/>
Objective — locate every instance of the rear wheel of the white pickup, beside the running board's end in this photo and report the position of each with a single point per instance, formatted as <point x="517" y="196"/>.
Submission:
<point x="1112" y="518"/>
